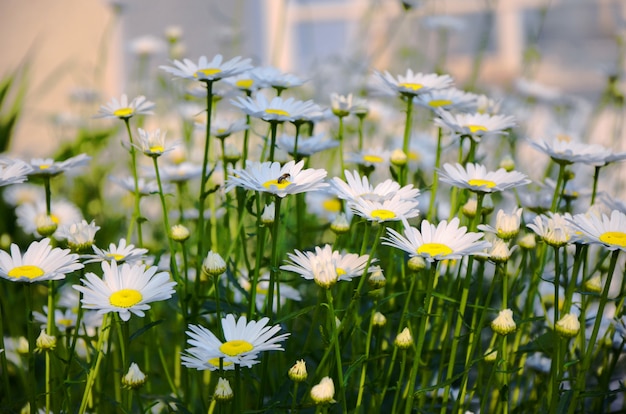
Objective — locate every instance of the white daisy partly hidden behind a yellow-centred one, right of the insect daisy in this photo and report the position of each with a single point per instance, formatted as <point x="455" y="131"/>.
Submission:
<point x="359" y="188"/>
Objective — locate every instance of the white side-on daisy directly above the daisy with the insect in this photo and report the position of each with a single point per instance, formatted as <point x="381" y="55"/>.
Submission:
<point x="278" y="109"/>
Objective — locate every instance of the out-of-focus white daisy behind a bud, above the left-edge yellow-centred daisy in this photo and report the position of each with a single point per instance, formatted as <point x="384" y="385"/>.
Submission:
<point x="62" y="212"/>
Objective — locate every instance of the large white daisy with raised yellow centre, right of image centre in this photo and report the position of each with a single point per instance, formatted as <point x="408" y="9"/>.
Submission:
<point x="447" y="240"/>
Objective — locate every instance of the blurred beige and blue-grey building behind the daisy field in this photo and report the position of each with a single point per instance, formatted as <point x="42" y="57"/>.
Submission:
<point x="66" y="57"/>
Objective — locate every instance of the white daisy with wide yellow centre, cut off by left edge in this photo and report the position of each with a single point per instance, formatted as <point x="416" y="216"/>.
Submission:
<point x="40" y="262"/>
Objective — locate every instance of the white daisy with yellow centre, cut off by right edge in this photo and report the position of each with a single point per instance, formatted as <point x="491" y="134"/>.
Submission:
<point x="609" y="231"/>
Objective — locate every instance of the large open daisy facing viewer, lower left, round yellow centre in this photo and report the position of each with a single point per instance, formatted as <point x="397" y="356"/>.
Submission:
<point x="125" y="289"/>
